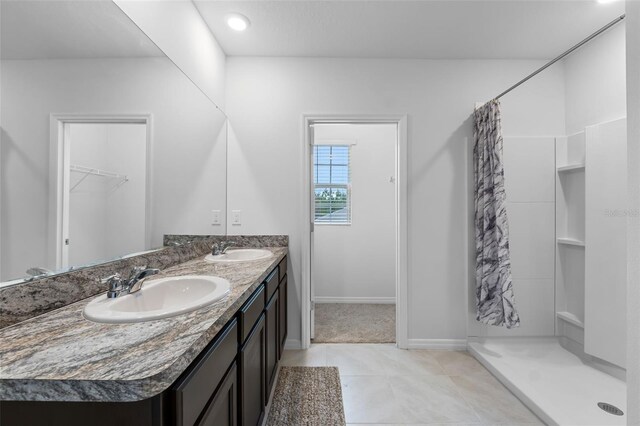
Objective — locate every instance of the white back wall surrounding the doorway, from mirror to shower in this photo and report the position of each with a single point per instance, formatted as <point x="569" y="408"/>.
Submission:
<point x="266" y="98"/>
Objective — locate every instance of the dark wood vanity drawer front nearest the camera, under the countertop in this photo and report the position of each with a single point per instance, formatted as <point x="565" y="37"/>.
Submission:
<point x="193" y="391"/>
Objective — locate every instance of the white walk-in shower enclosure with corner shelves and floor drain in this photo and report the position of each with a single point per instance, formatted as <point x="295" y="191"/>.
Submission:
<point x="566" y="199"/>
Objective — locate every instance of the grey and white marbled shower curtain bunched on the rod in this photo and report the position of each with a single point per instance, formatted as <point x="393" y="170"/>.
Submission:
<point x="494" y="290"/>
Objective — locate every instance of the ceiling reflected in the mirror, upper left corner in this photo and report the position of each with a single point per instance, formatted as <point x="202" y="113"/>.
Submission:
<point x="69" y="29"/>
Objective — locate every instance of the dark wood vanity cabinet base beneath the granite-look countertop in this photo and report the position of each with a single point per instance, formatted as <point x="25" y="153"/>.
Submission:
<point x="228" y="384"/>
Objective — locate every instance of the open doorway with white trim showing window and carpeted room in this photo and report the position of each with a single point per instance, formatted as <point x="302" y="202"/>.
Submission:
<point x="357" y="230"/>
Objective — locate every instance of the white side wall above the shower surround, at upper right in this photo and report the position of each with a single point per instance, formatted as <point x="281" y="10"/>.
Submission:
<point x="595" y="81"/>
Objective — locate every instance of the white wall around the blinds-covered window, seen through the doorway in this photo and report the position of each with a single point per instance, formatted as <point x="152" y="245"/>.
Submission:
<point x="357" y="262"/>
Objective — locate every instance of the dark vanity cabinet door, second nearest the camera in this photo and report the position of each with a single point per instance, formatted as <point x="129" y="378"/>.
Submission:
<point x="252" y="376"/>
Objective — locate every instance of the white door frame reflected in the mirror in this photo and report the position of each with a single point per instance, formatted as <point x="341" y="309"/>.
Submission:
<point x="59" y="179"/>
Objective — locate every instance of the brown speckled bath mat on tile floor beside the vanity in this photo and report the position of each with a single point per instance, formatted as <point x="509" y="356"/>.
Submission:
<point x="307" y="396"/>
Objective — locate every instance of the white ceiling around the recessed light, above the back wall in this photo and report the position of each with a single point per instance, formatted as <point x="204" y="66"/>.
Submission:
<point x="476" y="29"/>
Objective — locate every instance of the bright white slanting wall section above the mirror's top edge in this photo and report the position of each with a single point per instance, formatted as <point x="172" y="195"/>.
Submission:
<point x="177" y="28"/>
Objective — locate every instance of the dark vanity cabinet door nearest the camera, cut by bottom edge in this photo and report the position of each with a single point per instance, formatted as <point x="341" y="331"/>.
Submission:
<point x="223" y="409"/>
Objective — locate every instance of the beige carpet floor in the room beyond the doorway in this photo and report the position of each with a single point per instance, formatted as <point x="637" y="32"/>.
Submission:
<point x="355" y="323"/>
